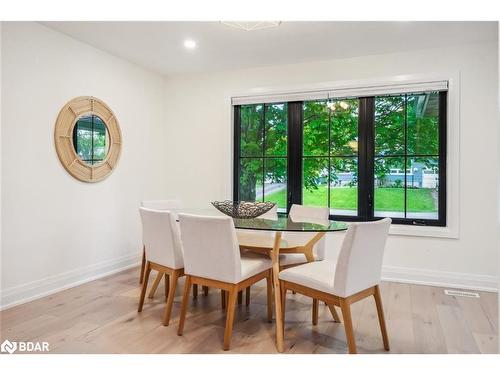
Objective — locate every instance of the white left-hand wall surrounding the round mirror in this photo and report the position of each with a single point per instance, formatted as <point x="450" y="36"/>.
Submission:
<point x="57" y="230"/>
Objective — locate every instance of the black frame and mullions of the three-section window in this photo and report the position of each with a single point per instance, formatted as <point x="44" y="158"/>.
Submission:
<point x="366" y="159"/>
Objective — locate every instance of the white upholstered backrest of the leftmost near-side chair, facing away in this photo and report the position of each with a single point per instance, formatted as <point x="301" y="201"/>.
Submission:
<point x="161" y="238"/>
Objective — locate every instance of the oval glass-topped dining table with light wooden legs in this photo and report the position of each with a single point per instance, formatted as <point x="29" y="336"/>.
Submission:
<point x="265" y="235"/>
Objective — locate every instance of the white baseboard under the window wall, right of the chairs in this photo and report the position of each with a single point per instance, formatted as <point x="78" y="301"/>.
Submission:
<point x="457" y="280"/>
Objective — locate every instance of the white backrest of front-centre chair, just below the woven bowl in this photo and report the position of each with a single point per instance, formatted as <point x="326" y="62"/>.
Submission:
<point x="211" y="248"/>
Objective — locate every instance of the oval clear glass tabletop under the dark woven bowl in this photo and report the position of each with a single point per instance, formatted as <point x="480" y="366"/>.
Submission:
<point x="283" y="222"/>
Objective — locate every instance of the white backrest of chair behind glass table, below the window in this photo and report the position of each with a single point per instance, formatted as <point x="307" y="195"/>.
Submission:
<point x="301" y="213"/>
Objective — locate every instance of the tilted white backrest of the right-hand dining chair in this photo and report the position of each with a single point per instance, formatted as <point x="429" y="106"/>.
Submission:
<point x="360" y="260"/>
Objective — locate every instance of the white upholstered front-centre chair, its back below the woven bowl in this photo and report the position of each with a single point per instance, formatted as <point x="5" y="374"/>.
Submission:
<point x="212" y="258"/>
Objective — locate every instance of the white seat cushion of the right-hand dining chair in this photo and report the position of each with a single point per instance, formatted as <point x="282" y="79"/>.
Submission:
<point x="314" y="275"/>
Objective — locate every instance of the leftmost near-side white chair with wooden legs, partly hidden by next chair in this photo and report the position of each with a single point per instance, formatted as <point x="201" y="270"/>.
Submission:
<point x="163" y="252"/>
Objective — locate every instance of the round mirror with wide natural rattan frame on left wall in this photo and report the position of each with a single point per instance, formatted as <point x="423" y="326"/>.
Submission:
<point x="87" y="139"/>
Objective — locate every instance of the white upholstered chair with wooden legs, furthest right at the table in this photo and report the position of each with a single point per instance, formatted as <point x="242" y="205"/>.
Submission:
<point x="355" y="275"/>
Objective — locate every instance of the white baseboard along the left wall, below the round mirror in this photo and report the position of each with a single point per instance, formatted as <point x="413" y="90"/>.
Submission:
<point x="37" y="289"/>
